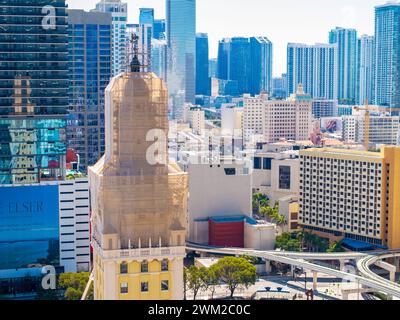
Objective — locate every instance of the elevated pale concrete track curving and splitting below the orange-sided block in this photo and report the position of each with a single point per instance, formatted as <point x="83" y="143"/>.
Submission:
<point x="295" y="259"/>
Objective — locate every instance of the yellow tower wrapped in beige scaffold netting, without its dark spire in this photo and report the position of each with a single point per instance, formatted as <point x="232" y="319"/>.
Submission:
<point x="139" y="200"/>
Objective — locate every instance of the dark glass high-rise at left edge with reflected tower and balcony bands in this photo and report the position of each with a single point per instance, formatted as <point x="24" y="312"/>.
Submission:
<point x="33" y="90"/>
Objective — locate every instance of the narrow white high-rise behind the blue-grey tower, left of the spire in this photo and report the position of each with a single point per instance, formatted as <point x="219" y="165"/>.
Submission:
<point x="119" y="11"/>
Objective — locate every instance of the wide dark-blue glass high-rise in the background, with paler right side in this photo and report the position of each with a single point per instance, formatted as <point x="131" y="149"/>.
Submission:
<point x="248" y="61"/>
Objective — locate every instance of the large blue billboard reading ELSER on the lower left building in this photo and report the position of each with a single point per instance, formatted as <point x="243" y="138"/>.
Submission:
<point x="29" y="227"/>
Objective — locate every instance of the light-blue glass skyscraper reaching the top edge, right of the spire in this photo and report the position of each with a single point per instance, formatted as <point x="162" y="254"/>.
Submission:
<point x="181" y="38"/>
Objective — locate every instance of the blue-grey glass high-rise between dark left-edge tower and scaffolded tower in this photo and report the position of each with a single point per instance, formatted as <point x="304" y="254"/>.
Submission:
<point x="89" y="44"/>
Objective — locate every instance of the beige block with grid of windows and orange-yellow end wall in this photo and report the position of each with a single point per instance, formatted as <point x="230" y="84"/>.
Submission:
<point x="348" y="194"/>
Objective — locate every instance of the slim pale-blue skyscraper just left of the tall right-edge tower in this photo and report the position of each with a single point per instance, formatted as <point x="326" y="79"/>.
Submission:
<point x="366" y="70"/>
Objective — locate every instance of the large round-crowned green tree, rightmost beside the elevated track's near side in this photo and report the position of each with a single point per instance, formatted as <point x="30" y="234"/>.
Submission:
<point x="236" y="272"/>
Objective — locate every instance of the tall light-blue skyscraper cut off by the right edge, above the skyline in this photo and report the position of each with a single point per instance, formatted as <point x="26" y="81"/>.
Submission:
<point x="387" y="55"/>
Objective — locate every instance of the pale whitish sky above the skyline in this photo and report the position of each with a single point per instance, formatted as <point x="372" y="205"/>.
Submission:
<point x="282" y="21"/>
